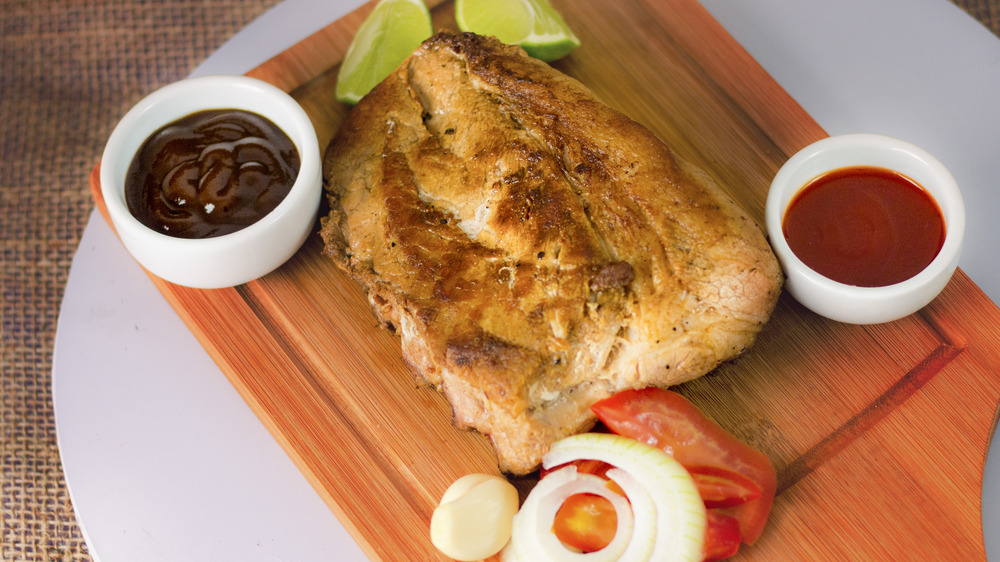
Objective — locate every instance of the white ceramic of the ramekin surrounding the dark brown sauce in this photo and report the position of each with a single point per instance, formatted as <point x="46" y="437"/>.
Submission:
<point x="234" y="258"/>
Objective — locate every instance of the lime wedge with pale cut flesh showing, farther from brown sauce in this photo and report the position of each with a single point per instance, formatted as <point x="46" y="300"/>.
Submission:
<point x="533" y="24"/>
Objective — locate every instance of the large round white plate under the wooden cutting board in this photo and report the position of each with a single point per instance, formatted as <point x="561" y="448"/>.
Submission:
<point x="163" y="459"/>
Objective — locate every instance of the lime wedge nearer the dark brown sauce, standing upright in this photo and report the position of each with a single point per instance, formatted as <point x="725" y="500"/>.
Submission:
<point x="393" y="30"/>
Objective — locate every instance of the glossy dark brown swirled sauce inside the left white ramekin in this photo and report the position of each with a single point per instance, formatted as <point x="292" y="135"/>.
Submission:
<point x="210" y="173"/>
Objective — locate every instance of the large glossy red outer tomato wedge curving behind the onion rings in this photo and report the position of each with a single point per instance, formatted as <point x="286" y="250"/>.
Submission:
<point x="667" y="420"/>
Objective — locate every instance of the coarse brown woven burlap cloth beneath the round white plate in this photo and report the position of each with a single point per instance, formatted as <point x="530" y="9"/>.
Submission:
<point x="69" y="69"/>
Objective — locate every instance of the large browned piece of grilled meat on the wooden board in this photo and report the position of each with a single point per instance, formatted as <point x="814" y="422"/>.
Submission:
<point x="535" y="250"/>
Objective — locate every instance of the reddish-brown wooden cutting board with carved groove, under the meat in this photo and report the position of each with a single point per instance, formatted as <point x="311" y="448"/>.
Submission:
<point x="878" y="433"/>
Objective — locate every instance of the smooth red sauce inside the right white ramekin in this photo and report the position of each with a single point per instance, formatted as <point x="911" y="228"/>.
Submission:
<point x="864" y="226"/>
